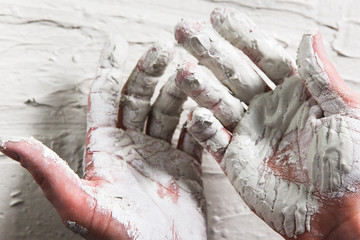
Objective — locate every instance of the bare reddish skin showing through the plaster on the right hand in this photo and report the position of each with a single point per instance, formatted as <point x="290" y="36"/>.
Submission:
<point x="338" y="218"/>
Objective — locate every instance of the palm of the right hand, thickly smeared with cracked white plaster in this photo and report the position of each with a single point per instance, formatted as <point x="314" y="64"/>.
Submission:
<point x="293" y="145"/>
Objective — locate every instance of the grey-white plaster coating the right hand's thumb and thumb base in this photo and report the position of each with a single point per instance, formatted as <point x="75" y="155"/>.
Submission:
<point x="331" y="154"/>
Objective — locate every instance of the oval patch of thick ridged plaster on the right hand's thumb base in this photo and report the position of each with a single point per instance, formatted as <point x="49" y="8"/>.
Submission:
<point x="331" y="154"/>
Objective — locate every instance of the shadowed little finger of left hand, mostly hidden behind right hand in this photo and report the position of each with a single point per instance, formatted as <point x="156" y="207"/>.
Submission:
<point x="189" y="145"/>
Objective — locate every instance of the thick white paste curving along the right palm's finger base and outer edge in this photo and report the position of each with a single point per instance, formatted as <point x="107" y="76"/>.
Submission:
<point x="285" y="206"/>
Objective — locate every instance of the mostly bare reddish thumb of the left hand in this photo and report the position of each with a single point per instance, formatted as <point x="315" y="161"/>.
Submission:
<point x="61" y="188"/>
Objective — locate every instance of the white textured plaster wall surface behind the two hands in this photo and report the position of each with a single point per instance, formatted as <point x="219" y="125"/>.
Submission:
<point x="48" y="54"/>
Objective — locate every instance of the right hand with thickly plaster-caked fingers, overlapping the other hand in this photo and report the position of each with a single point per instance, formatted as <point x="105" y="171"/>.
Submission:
<point x="293" y="156"/>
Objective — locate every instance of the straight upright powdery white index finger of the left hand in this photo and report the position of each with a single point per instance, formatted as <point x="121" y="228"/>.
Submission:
<point x="103" y="96"/>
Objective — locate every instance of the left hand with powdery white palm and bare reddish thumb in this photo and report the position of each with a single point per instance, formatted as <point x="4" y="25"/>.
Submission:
<point x="135" y="186"/>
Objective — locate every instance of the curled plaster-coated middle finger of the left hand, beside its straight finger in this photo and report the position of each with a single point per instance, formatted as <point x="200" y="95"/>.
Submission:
<point x="139" y="88"/>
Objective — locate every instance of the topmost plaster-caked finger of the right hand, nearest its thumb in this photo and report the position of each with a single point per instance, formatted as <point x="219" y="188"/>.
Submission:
<point x="263" y="50"/>
